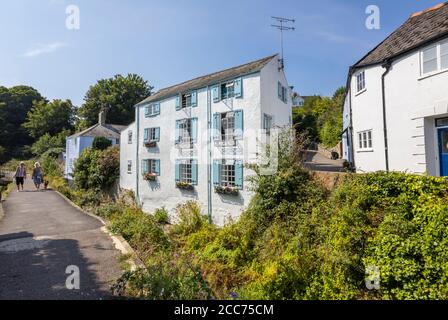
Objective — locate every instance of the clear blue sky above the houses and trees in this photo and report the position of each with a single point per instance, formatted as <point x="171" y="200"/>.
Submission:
<point x="167" y="42"/>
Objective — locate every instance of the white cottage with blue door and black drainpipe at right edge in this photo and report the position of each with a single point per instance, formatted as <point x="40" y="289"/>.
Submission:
<point x="396" y="108"/>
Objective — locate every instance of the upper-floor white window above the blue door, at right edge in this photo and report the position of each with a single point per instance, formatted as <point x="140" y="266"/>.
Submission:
<point x="434" y="58"/>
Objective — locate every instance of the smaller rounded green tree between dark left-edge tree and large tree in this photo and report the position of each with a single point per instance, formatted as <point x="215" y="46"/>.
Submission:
<point x="52" y="118"/>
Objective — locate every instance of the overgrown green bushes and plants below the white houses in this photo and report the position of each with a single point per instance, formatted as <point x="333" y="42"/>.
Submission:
<point x="297" y="241"/>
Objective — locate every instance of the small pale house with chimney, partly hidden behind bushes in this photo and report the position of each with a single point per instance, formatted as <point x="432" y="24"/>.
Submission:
<point x="78" y="142"/>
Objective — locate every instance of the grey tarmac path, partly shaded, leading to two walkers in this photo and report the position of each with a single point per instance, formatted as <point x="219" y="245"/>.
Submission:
<point x="41" y="235"/>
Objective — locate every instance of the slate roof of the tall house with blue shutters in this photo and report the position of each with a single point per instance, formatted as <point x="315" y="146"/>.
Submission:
<point x="209" y="79"/>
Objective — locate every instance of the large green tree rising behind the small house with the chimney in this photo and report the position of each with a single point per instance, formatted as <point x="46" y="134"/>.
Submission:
<point x="117" y="95"/>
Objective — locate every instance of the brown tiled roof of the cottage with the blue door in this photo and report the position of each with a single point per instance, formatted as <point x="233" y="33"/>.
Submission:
<point x="420" y="29"/>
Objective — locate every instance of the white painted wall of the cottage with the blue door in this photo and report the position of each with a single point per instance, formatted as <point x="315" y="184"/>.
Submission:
<point x="412" y="103"/>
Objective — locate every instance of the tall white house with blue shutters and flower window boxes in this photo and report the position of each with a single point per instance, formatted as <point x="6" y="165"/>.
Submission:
<point x="191" y="141"/>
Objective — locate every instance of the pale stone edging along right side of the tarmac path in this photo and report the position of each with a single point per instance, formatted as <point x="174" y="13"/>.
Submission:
<point x="119" y="242"/>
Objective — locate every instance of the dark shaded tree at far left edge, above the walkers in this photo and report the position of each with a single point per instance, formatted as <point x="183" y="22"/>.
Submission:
<point x="15" y="103"/>
